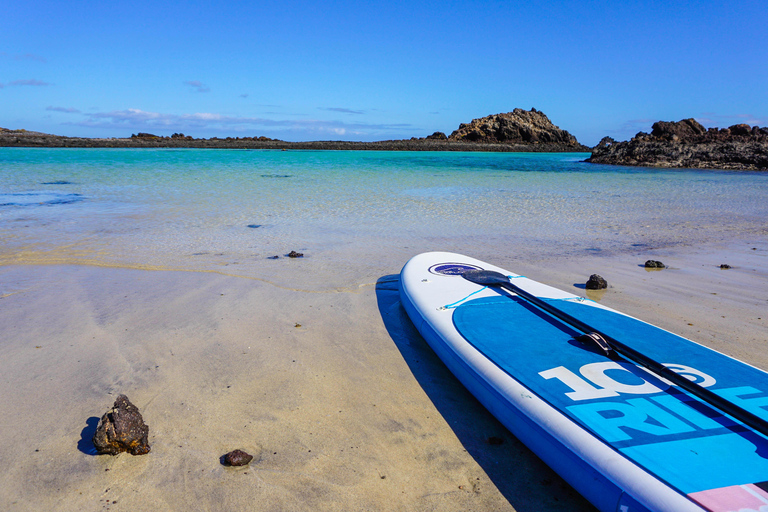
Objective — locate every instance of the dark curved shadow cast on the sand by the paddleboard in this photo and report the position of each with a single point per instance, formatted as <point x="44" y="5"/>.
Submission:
<point x="523" y="479"/>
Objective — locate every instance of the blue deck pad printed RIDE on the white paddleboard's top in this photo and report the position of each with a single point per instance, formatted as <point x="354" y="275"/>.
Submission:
<point x="672" y="434"/>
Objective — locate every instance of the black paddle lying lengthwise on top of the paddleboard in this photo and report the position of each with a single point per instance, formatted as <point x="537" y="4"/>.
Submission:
<point x="609" y="345"/>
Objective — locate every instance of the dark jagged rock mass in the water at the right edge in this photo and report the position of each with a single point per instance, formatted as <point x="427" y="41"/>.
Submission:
<point x="688" y="144"/>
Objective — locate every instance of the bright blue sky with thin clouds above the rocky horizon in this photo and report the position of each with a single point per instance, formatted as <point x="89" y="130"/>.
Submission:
<point x="358" y="70"/>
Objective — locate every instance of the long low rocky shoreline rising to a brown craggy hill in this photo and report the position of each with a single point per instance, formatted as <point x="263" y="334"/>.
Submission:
<point x="516" y="131"/>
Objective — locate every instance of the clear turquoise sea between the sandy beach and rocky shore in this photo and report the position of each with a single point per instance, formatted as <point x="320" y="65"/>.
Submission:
<point x="353" y="214"/>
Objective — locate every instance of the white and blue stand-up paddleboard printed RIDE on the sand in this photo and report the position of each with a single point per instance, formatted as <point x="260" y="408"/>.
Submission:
<point x="626" y="439"/>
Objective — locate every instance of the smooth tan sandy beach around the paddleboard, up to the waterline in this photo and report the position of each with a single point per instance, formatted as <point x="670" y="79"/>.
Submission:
<point x="341" y="401"/>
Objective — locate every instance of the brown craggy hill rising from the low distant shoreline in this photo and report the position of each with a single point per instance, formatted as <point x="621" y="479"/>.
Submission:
<point x="516" y="127"/>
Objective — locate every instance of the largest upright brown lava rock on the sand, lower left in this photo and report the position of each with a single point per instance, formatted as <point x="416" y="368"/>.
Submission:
<point x="122" y="429"/>
